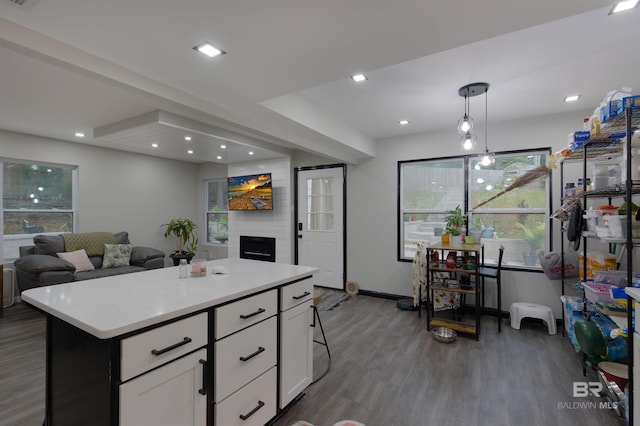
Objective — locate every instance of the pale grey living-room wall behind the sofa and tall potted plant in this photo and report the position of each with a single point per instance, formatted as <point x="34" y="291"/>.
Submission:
<point x="118" y="191"/>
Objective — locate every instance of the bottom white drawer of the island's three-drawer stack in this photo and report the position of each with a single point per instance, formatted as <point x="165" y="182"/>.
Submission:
<point x="253" y="405"/>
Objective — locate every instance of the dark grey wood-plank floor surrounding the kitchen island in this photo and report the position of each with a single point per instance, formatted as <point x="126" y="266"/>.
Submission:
<point x="386" y="370"/>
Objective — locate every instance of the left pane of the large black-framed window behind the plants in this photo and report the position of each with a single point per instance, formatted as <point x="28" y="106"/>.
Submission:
<point x="428" y="189"/>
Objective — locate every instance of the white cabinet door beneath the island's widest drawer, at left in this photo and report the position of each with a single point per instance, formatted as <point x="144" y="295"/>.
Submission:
<point x="173" y="394"/>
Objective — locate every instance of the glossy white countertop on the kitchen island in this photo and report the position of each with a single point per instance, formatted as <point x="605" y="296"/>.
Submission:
<point x="112" y="306"/>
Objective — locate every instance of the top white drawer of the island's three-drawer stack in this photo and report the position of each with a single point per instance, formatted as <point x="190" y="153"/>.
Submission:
<point x="243" y="313"/>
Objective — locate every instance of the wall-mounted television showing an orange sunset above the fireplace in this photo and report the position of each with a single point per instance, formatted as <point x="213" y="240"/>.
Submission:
<point x="250" y="192"/>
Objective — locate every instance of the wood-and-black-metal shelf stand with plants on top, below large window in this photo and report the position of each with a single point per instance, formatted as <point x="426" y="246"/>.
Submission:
<point x="475" y="250"/>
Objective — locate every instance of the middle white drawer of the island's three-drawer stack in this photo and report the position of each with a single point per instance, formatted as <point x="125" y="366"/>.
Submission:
<point x="243" y="356"/>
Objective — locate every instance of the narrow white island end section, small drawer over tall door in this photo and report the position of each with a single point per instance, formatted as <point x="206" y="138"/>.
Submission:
<point x="296" y="340"/>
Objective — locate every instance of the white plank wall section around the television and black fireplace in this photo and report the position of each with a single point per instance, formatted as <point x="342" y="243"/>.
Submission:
<point x="277" y="223"/>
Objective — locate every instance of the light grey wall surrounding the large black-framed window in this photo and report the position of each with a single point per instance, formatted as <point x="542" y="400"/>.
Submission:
<point x="372" y="232"/>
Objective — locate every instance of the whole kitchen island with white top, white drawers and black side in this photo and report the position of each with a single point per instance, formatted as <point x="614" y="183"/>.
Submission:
<point x="150" y="348"/>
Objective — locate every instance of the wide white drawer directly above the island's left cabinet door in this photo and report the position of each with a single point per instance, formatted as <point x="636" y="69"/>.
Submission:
<point x="153" y="348"/>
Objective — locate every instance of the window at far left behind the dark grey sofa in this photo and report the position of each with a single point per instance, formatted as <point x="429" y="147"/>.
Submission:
<point x="36" y="198"/>
